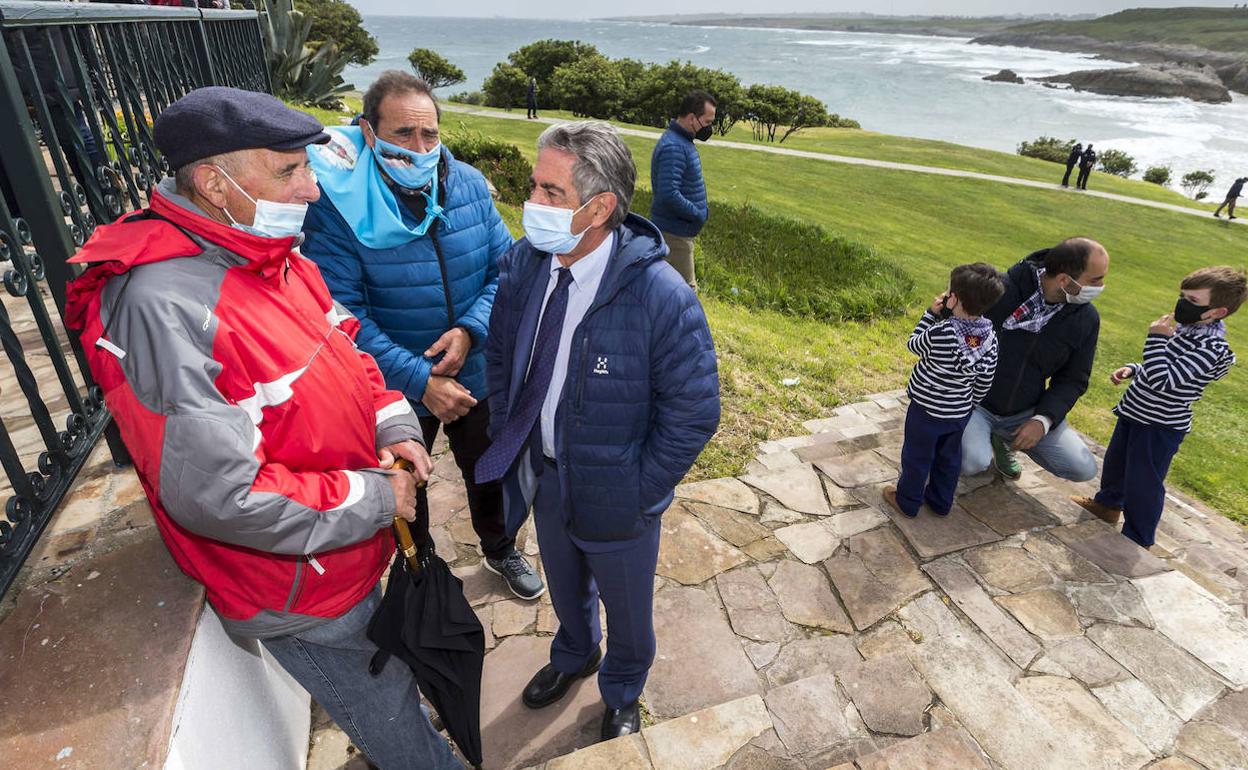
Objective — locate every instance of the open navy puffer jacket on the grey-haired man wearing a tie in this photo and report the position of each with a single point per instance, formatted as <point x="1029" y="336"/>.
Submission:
<point x="642" y="395"/>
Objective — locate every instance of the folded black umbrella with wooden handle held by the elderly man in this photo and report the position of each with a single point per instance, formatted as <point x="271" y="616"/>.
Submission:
<point x="426" y="622"/>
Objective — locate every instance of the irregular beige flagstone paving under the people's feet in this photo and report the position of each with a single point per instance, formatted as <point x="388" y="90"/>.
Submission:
<point x="803" y="625"/>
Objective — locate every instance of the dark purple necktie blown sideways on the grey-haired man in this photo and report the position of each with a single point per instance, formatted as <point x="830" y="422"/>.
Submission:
<point x="516" y="431"/>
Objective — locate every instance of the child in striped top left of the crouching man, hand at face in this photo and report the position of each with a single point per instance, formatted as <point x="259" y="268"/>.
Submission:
<point x="958" y="358"/>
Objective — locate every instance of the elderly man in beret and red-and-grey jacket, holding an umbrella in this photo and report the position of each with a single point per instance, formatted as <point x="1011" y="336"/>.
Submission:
<point x="263" y="437"/>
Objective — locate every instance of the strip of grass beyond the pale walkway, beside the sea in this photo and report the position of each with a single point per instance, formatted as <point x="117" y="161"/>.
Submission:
<point x="852" y="143"/>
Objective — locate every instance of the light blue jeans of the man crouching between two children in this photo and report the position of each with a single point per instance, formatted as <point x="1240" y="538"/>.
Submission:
<point x="1061" y="451"/>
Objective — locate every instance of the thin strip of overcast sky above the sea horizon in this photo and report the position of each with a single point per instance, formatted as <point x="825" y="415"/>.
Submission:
<point x="595" y="9"/>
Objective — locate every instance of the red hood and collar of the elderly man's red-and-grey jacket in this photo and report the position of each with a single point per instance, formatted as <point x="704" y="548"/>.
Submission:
<point x="163" y="231"/>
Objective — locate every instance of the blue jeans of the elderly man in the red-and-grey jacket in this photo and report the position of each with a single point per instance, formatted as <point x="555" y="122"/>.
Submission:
<point x="381" y="714"/>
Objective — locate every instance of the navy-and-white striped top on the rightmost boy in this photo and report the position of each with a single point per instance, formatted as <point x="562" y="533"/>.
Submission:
<point x="1174" y="376"/>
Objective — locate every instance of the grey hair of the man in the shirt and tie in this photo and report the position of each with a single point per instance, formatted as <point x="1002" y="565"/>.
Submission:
<point x="603" y="162"/>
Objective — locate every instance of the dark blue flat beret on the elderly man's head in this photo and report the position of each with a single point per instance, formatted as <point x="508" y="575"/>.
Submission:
<point x="217" y="120"/>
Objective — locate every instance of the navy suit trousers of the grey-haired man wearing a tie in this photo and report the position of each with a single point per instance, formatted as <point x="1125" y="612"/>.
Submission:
<point x="578" y="575"/>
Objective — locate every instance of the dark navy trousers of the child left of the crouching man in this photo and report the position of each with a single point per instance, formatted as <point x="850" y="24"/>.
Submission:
<point x="932" y="460"/>
